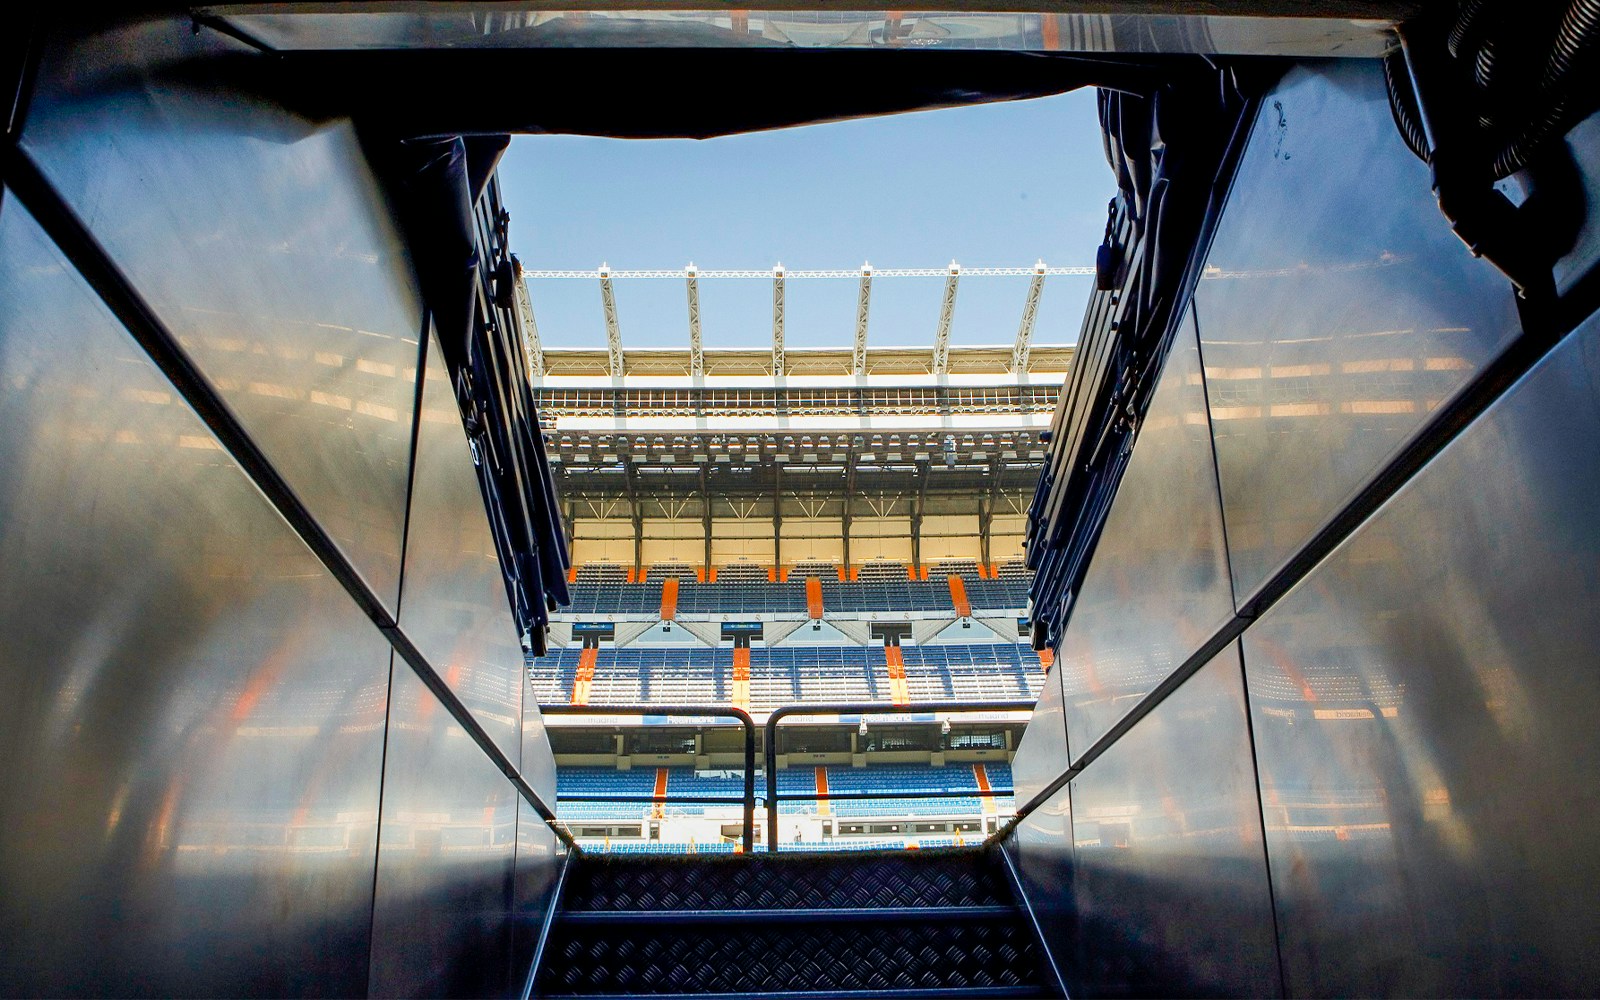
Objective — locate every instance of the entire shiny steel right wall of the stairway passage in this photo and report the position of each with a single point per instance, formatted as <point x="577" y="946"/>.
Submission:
<point x="1422" y="702"/>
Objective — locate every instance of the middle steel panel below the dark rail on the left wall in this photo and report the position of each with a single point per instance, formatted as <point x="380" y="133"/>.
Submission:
<point x="446" y="858"/>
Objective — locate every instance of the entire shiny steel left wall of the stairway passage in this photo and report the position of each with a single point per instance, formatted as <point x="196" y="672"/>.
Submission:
<point x="201" y="750"/>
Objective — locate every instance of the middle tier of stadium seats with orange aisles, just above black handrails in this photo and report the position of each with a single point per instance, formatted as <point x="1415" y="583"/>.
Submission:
<point x="793" y="674"/>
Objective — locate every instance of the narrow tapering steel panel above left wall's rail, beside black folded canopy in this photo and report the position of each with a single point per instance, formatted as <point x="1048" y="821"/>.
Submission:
<point x="454" y="604"/>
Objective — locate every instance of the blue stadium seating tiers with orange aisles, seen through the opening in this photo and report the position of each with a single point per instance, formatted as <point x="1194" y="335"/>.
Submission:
<point x="814" y="634"/>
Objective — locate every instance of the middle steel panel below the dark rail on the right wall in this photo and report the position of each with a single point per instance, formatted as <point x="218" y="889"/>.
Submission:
<point x="1172" y="876"/>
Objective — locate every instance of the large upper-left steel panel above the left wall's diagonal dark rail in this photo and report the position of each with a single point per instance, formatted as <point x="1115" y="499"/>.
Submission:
<point x="263" y="242"/>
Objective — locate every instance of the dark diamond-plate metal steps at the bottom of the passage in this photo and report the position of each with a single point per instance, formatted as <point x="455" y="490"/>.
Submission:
<point x="910" y="924"/>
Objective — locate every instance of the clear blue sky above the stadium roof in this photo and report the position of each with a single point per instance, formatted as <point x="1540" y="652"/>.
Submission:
<point x="990" y="186"/>
